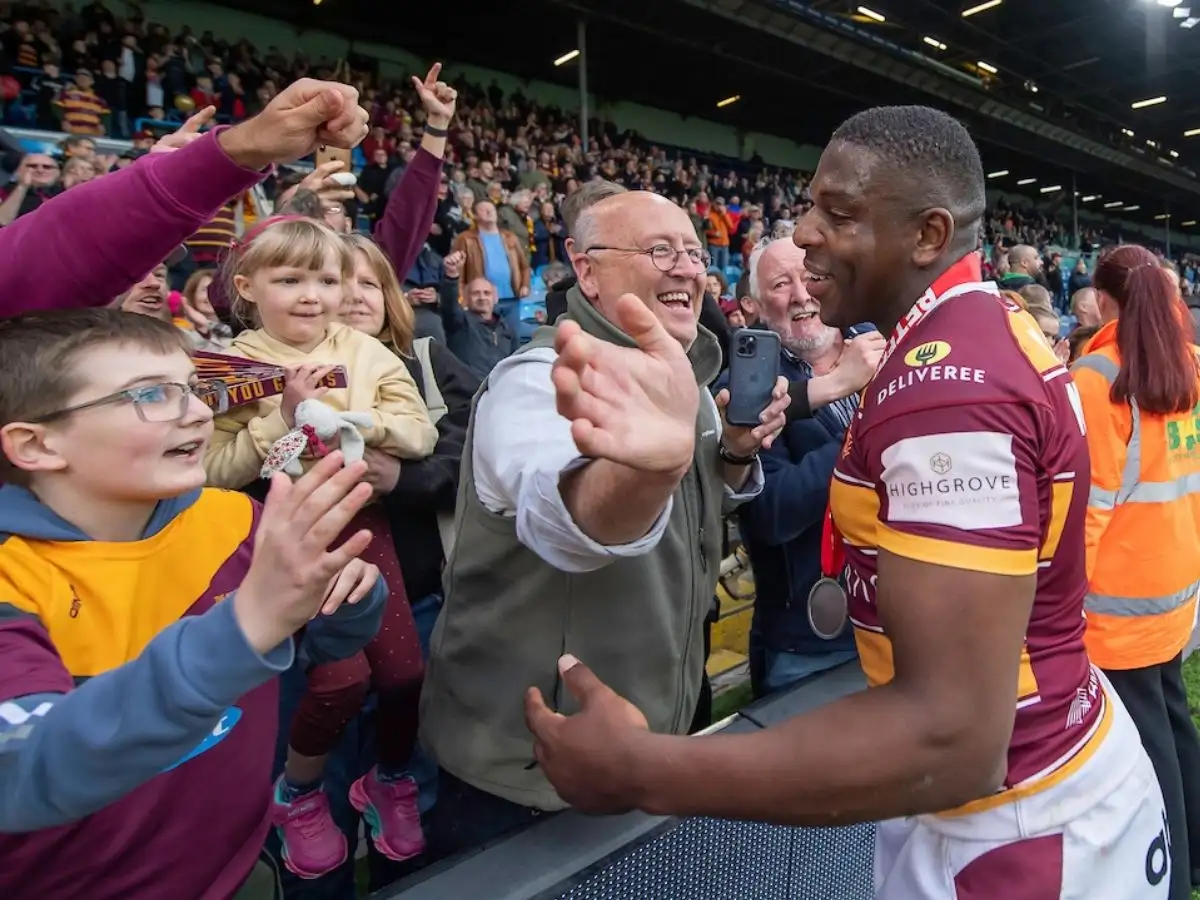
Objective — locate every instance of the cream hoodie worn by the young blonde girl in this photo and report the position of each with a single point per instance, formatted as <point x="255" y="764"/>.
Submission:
<point x="380" y="385"/>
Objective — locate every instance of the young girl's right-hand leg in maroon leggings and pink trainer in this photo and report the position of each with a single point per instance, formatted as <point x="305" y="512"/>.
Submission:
<point x="388" y="796"/>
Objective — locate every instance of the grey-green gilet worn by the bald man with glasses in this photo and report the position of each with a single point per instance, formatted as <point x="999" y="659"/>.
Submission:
<point x="509" y="616"/>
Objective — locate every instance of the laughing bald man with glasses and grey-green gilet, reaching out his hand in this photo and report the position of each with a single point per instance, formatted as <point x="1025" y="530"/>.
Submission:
<point x="569" y="538"/>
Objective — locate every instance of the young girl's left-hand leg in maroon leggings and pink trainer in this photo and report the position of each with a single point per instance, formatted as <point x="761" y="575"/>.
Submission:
<point x="313" y="843"/>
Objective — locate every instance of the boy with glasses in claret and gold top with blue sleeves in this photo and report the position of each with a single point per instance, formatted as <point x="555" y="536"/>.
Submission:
<point x="143" y="619"/>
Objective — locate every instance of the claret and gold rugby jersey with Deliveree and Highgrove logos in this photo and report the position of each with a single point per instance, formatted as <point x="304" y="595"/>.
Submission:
<point x="969" y="451"/>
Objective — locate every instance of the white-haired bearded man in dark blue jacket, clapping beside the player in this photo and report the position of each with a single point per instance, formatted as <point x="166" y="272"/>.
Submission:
<point x="800" y="627"/>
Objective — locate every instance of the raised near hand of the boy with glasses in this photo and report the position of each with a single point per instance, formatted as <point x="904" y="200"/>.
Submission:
<point x="295" y="574"/>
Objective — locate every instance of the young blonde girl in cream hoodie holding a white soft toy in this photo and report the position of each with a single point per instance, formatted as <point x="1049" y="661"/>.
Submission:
<point x="286" y="279"/>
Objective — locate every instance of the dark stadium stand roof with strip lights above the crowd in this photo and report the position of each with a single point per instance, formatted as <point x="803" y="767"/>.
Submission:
<point x="1059" y="104"/>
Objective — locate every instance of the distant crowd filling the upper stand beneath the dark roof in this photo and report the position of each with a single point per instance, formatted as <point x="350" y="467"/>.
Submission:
<point x="88" y="73"/>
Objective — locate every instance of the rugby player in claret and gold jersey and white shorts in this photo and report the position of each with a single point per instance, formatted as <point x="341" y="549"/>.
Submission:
<point x="998" y="760"/>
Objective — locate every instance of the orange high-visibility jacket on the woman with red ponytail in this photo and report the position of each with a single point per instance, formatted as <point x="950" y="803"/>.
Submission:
<point x="1143" y="532"/>
